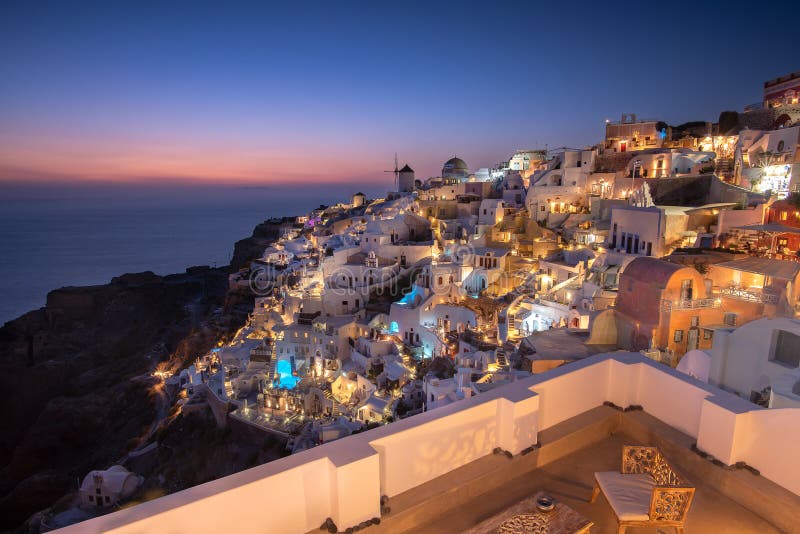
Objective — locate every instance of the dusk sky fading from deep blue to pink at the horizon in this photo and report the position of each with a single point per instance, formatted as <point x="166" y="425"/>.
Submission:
<point x="233" y="92"/>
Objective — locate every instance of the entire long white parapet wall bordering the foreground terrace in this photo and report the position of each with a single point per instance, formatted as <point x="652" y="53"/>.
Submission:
<point x="344" y="479"/>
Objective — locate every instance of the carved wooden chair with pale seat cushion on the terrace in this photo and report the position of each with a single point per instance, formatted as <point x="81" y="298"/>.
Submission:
<point x="647" y="491"/>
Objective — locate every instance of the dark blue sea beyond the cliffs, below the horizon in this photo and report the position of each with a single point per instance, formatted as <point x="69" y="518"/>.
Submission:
<point x="72" y="235"/>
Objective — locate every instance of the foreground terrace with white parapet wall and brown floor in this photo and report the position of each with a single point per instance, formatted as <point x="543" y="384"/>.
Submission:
<point x="440" y="472"/>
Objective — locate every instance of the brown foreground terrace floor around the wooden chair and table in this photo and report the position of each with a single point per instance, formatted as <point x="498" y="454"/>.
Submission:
<point x="564" y="466"/>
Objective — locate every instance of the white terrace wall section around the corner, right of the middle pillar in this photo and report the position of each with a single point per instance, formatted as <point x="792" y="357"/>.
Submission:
<point x="727" y="427"/>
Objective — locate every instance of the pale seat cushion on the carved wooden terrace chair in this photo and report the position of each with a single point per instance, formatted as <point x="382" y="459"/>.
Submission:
<point x="628" y="494"/>
